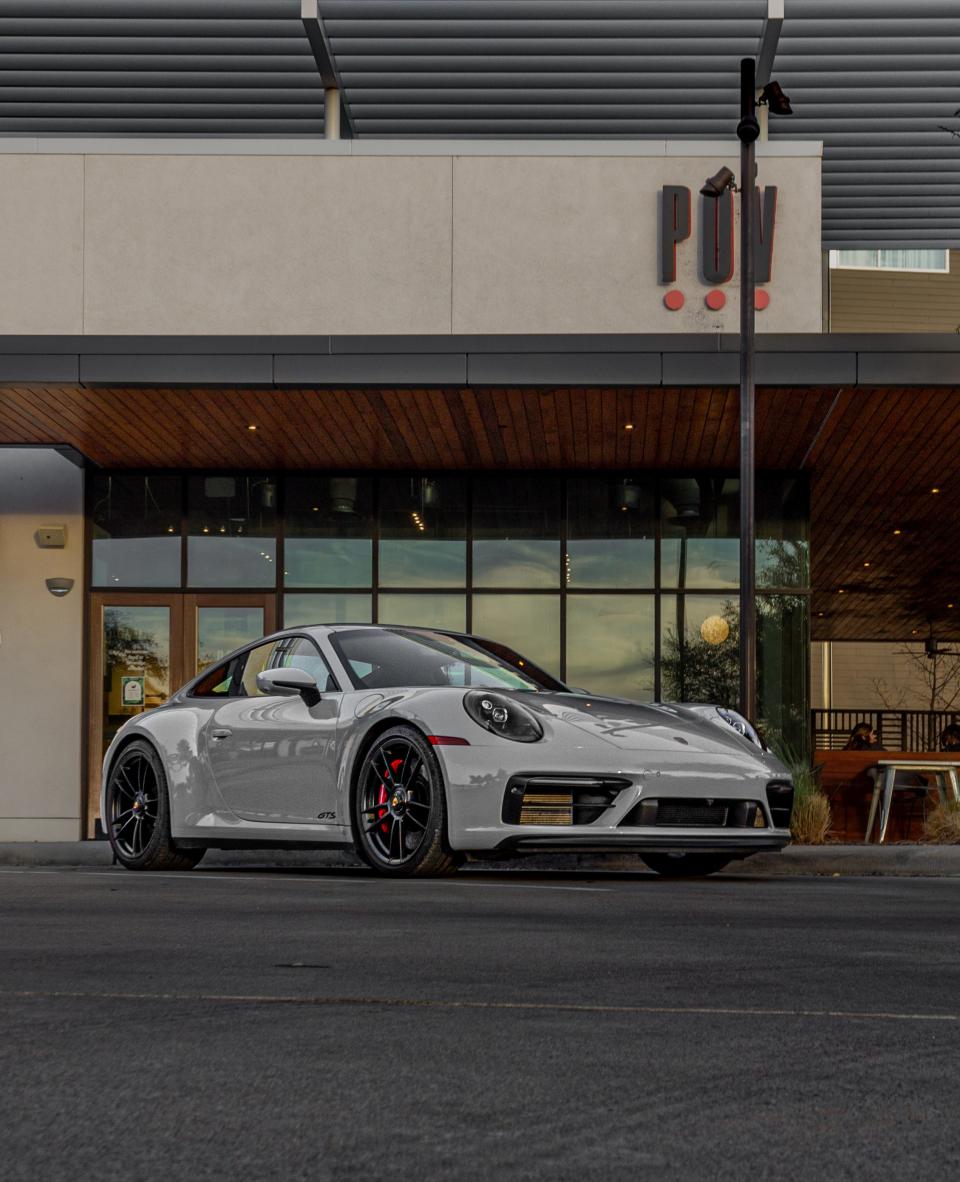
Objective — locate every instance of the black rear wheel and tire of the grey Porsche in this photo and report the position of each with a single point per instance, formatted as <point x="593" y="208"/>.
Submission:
<point x="139" y="814"/>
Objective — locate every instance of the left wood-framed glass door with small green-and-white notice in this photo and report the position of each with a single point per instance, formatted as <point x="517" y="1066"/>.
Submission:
<point x="135" y="665"/>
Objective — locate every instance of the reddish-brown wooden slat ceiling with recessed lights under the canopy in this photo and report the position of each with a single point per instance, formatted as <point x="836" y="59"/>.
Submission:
<point x="874" y="457"/>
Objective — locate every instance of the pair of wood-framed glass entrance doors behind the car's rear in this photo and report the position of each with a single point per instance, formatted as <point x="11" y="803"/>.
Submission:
<point x="144" y="647"/>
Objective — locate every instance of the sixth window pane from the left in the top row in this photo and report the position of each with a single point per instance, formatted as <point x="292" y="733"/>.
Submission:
<point x="612" y="531"/>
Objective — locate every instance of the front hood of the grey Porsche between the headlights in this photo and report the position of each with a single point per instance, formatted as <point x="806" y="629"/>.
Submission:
<point x="635" y="726"/>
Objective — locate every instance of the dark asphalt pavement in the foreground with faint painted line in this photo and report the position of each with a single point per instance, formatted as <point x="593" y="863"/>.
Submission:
<point x="328" y="1025"/>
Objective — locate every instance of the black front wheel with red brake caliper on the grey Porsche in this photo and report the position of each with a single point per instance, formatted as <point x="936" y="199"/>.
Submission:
<point x="400" y="808"/>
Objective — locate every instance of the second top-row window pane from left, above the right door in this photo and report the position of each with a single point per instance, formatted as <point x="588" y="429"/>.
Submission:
<point x="231" y="525"/>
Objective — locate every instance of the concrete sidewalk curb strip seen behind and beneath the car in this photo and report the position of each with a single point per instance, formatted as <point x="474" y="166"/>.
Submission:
<point x="898" y="861"/>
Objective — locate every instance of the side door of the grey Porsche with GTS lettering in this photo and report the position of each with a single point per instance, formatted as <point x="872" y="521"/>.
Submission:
<point x="275" y="758"/>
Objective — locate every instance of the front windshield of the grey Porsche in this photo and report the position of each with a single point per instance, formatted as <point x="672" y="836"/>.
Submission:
<point x="378" y="659"/>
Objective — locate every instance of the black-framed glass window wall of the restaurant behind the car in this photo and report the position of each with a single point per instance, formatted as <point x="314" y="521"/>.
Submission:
<point x="622" y="583"/>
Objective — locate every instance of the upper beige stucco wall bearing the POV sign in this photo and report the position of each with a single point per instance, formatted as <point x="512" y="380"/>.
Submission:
<point x="365" y="238"/>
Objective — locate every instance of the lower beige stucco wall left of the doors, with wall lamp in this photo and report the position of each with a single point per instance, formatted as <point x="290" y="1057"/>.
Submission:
<point x="41" y="650"/>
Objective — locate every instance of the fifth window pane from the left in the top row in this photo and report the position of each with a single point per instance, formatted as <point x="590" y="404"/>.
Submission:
<point x="516" y="525"/>
